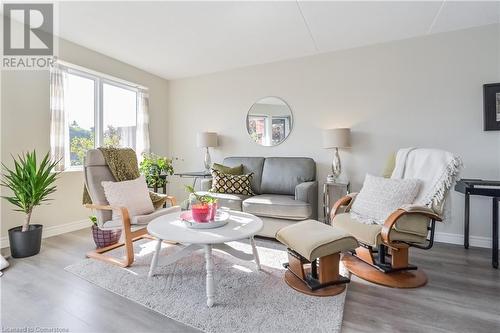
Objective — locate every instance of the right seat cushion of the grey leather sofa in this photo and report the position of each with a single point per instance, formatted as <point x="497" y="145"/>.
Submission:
<point x="277" y="206"/>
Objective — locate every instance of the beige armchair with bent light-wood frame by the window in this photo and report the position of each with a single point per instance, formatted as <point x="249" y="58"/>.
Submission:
<point x="134" y="228"/>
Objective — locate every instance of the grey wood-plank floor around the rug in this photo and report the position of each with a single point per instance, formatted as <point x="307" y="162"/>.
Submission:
<point x="463" y="295"/>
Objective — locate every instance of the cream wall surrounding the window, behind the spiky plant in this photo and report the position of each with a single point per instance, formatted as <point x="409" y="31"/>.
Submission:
<point x="25" y="123"/>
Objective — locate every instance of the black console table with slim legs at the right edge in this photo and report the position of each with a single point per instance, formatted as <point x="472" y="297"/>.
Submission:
<point x="489" y="188"/>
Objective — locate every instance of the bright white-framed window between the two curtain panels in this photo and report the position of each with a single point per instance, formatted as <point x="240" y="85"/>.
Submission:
<point x="98" y="111"/>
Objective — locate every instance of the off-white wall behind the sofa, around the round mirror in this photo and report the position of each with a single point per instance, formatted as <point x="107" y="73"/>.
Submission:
<point x="424" y="92"/>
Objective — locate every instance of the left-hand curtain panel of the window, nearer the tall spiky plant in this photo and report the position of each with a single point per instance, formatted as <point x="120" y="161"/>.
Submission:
<point x="58" y="129"/>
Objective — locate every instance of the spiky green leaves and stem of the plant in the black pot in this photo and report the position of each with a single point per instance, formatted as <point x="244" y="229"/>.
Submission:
<point x="30" y="183"/>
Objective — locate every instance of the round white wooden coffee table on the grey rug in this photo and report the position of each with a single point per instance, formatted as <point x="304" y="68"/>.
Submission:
<point x="171" y="228"/>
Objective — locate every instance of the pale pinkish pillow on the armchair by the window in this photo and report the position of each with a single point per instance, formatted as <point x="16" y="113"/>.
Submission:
<point x="133" y="194"/>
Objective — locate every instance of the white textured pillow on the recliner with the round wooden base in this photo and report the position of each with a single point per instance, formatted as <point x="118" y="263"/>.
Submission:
<point x="380" y="196"/>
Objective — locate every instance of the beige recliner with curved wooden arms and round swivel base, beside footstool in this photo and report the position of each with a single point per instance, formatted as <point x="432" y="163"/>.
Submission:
<point x="382" y="256"/>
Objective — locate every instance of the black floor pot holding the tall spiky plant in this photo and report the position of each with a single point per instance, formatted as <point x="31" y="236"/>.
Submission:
<point x="27" y="243"/>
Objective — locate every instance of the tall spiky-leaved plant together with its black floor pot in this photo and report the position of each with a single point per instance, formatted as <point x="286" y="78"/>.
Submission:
<point x="30" y="184"/>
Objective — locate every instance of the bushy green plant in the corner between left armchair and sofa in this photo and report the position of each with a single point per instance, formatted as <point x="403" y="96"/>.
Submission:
<point x="153" y="166"/>
